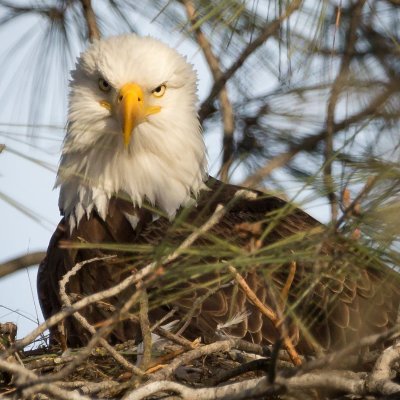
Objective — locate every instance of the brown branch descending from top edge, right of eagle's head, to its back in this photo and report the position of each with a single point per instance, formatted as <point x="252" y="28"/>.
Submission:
<point x="228" y="118"/>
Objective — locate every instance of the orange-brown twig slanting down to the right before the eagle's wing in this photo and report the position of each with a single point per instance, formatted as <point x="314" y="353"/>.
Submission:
<point x="268" y="312"/>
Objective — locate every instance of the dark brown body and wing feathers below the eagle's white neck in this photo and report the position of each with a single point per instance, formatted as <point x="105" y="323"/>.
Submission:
<point x="338" y="299"/>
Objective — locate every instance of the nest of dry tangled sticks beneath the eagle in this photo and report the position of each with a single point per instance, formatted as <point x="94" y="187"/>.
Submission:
<point x="178" y="368"/>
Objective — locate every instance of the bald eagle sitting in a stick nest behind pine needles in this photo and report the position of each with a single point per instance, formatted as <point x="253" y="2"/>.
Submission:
<point x="133" y="172"/>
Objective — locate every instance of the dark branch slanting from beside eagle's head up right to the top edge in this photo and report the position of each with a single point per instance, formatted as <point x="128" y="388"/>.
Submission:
<point x="269" y="30"/>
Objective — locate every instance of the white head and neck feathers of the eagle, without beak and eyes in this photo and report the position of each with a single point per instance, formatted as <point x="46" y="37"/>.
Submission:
<point x="165" y="161"/>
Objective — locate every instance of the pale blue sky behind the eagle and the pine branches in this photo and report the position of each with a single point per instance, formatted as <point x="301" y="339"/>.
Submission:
<point x="29" y="163"/>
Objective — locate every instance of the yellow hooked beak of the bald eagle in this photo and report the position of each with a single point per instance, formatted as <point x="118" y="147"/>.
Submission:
<point x="132" y="109"/>
